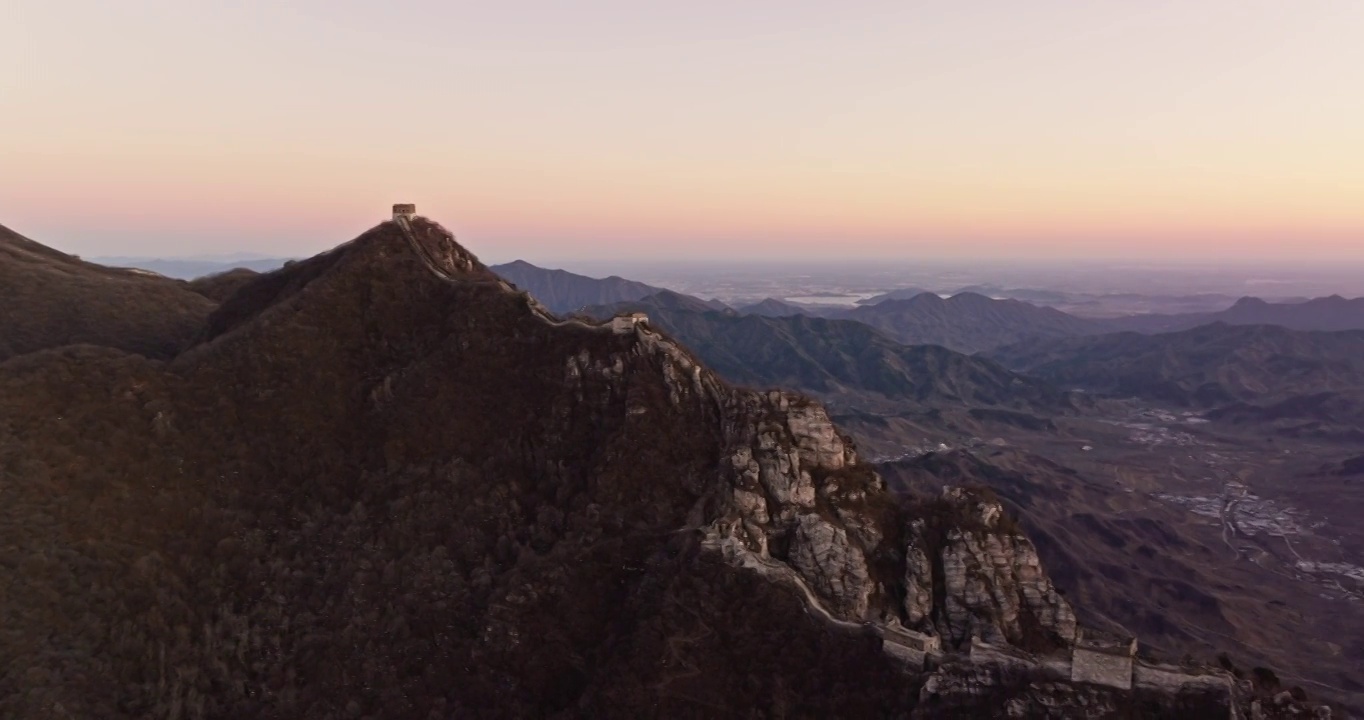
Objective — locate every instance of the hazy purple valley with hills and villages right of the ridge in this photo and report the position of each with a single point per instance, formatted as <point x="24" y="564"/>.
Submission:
<point x="1197" y="482"/>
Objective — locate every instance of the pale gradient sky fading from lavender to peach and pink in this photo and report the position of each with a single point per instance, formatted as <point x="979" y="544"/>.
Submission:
<point x="557" y="130"/>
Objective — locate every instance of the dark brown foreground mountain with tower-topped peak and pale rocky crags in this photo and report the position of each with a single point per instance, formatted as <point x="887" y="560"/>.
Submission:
<point x="388" y="486"/>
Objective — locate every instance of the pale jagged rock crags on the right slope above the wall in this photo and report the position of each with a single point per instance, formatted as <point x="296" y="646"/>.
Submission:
<point x="797" y="496"/>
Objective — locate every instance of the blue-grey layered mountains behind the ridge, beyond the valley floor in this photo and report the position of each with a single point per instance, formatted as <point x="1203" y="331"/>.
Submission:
<point x="870" y="350"/>
